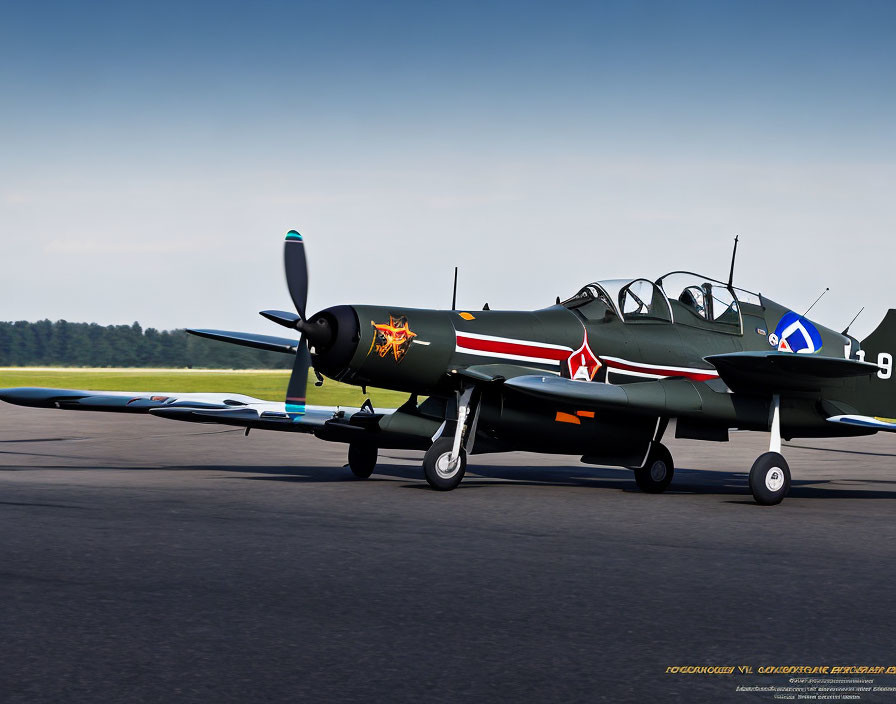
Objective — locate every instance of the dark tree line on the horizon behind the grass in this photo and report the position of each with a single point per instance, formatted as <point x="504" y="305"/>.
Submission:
<point x="61" y="343"/>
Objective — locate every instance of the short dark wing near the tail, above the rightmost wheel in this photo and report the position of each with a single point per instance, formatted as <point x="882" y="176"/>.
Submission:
<point x="775" y="372"/>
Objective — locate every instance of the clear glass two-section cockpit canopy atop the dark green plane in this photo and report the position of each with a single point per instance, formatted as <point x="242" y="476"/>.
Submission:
<point x="681" y="297"/>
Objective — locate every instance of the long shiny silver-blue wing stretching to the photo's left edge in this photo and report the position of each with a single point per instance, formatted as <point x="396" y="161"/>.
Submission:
<point x="227" y="409"/>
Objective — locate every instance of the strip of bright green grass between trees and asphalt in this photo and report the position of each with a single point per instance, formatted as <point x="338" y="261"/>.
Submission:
<point x="263" y="384"/>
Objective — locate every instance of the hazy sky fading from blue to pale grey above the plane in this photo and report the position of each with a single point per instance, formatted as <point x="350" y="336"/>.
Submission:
<point x="153" y="156"/>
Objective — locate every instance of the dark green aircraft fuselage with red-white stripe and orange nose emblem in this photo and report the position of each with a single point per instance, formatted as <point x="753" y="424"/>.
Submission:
<point x="433" y="352"/>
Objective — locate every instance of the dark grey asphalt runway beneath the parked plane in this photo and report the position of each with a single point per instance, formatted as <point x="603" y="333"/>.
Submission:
<point x="145" y="560"/>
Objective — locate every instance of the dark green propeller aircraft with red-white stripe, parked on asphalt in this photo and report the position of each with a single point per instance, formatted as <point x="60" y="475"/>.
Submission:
<point x="600" y="374"/>
